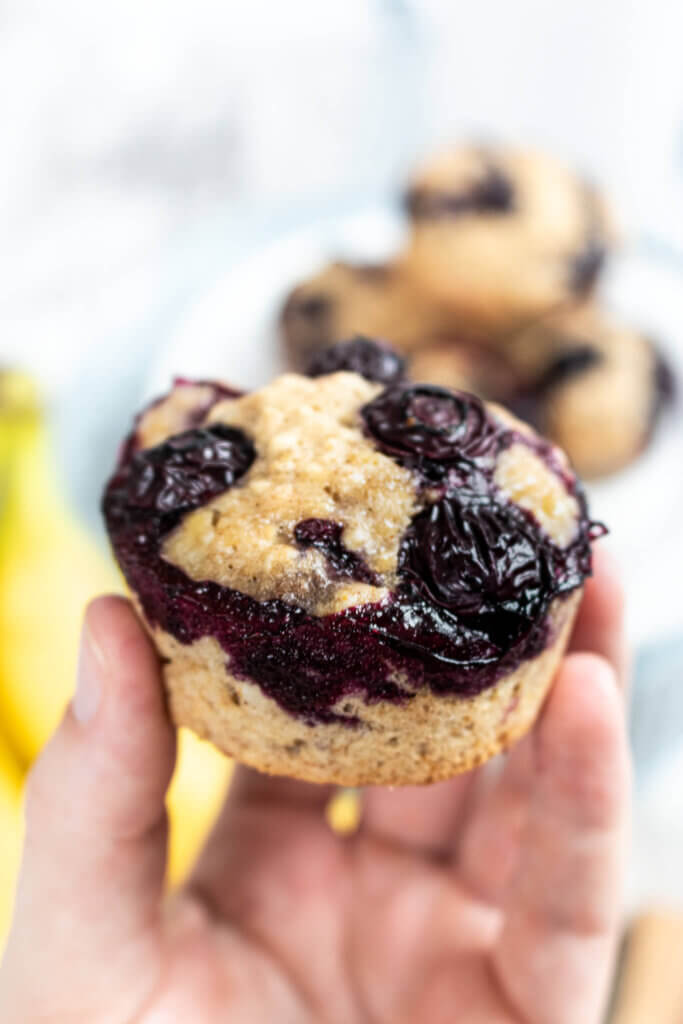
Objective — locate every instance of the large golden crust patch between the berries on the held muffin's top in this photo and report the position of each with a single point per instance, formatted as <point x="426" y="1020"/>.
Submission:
<point x="314" y="462"/>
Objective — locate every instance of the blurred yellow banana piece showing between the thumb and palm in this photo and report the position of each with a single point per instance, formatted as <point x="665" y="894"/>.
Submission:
<point x="195" y="797"/>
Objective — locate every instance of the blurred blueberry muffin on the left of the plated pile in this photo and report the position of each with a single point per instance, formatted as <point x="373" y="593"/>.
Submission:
<point x="346" y="300"/>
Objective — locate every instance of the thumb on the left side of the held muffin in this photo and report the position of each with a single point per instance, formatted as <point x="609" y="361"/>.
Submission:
<point x="91" y="887"/>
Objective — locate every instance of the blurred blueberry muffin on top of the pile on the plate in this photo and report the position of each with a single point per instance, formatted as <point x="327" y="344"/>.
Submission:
<point x="501" y="235"/>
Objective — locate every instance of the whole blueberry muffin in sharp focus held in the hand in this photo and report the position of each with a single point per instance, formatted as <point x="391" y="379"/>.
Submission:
<point x="351" y="581"/>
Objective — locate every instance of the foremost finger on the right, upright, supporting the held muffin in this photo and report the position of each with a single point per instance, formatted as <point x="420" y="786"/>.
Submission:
<point x="556" y="952"/>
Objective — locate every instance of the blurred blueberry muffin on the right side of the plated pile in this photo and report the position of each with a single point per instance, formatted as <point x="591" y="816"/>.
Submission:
<point x="592" y="386"/>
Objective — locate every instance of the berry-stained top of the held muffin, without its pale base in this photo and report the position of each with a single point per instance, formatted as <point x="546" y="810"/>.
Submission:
<point x="373" y="537"/>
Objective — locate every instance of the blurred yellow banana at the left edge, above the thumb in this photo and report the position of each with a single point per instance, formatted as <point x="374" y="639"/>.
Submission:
<point x="50" y="569"/>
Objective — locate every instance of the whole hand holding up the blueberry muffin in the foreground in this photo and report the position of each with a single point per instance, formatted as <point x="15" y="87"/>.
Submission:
<point x="482" y="900"/>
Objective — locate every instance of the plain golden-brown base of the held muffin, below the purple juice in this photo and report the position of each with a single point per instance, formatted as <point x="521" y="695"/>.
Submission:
<point x="425" y="740"/>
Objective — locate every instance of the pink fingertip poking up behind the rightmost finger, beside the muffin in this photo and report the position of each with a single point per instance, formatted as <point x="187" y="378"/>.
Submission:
<point x="600" y="627"/>
